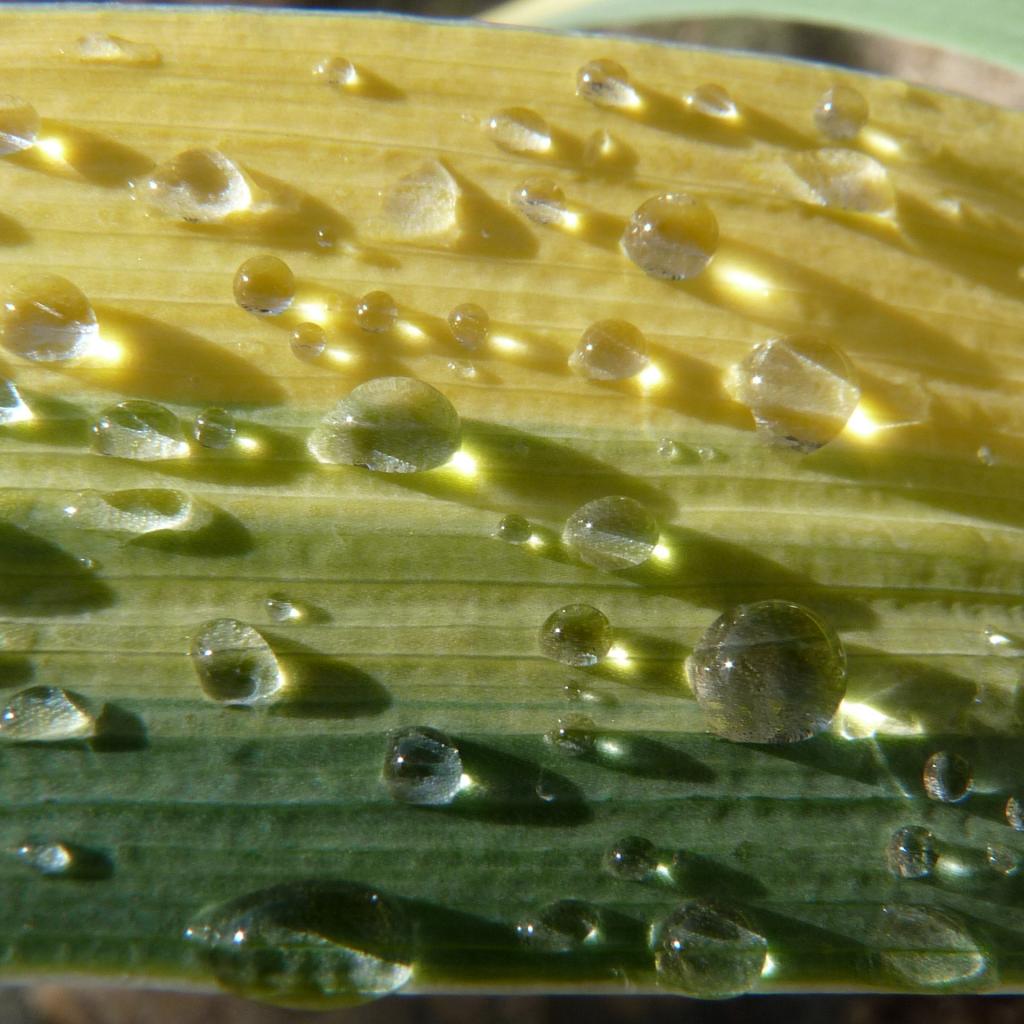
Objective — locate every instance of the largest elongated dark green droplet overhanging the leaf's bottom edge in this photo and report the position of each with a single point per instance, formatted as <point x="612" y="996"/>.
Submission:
<point x="308" y="945"/>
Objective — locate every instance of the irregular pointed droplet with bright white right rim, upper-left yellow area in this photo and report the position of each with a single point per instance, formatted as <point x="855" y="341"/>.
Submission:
<point x="199" y="187"/>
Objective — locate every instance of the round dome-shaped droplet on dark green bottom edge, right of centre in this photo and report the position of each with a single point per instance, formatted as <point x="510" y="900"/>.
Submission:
<point x="709" y="952"/>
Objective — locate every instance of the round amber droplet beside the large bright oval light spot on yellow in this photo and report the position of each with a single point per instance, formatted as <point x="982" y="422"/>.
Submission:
<point x="672" y="236"/>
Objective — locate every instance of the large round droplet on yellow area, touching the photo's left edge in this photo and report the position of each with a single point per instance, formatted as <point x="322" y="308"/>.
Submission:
<point x="48" y="319"/>
